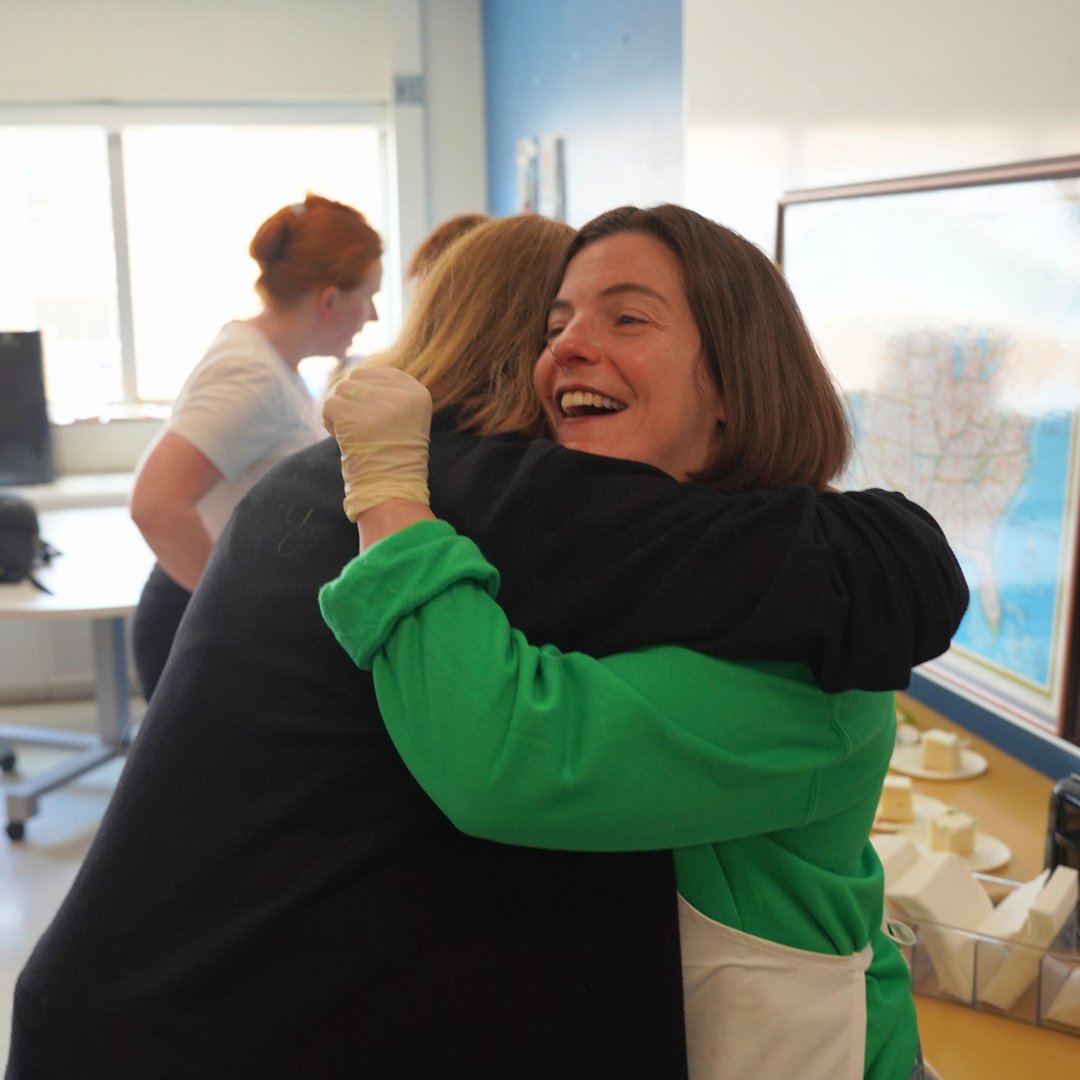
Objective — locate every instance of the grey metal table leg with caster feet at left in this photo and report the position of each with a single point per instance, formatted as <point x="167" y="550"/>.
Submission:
<point x="111" y="661"/>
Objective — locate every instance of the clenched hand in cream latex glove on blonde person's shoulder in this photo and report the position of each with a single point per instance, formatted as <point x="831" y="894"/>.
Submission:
<point x="382" y="420"/>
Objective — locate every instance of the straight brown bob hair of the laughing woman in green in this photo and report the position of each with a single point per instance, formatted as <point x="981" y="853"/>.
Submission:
<point x="785" y="420"/>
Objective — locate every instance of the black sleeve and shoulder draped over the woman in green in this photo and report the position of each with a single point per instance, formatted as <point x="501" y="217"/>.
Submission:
<point x="605" y="556"/>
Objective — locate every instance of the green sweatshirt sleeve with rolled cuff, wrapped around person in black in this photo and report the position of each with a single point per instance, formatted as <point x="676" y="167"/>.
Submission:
<point x="661" y="748"/>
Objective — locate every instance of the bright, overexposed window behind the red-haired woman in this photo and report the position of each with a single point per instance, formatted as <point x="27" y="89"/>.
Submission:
<point x="126" y="242"/>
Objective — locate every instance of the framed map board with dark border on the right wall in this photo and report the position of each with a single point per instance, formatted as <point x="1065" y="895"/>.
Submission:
<point x="948" y="308"/>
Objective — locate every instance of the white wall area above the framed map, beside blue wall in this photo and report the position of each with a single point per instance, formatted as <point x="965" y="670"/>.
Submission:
<point x="781" y="97"/>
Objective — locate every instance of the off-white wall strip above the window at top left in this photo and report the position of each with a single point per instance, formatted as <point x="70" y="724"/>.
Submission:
<point x="195" y="50"/>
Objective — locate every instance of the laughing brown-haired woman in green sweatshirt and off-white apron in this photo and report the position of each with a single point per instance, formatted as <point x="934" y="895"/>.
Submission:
<point x="764" y="786"/>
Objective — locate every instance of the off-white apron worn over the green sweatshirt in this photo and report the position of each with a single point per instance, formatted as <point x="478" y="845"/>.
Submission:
<point x="757" y="1010"/>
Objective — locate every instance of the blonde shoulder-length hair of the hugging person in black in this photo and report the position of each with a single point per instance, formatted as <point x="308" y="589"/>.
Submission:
<point x="476" y="327"/>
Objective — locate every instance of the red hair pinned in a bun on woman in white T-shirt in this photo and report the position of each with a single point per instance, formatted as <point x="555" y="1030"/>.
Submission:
<point x="312" y="245"/>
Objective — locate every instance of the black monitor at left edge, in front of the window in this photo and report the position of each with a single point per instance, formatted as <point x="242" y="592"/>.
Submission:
<point x="26" y="448"/>
